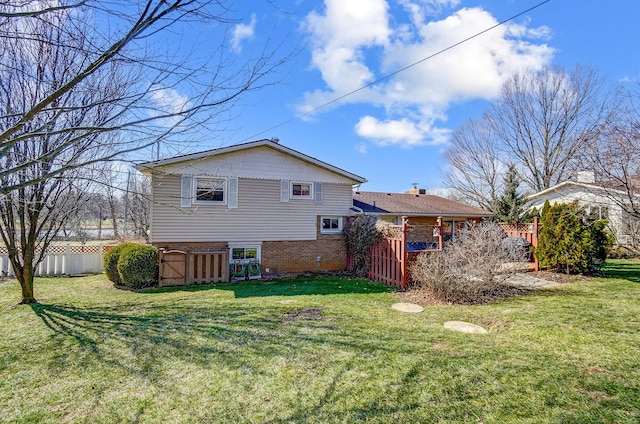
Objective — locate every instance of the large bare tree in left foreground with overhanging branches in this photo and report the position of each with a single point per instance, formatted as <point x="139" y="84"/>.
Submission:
<point x="80" y="85"/>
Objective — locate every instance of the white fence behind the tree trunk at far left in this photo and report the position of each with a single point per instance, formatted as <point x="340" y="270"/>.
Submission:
<point x="63" y="260"/>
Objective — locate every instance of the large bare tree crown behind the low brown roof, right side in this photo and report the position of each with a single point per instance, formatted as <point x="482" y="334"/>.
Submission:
<point x="540" y="122"/>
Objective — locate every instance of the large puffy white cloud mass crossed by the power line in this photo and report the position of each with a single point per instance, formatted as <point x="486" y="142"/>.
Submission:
<point x="354" y="45"/>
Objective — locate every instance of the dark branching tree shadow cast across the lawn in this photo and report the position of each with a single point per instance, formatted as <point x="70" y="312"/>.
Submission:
<point x="138" y="337"/>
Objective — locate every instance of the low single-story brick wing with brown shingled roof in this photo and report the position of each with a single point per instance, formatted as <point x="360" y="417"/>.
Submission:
<point x="422" y="211"/>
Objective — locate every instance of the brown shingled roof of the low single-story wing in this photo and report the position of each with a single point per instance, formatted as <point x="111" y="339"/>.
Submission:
<point x="413" y="205"/>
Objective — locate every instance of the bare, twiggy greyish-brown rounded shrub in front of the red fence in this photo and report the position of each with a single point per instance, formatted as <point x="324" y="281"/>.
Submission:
<point x="466" y="270"/>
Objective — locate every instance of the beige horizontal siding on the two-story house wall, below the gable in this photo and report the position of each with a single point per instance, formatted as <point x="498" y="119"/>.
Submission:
<point x="260" y="215"/>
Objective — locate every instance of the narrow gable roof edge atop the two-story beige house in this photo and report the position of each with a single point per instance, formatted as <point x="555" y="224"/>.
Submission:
<point x="147" y="167"/>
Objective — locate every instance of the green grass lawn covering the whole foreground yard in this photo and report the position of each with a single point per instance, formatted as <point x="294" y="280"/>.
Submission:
<point x="230" y="353"/>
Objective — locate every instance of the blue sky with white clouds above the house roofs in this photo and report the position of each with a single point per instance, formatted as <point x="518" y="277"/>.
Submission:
<point x="393" y="131"/>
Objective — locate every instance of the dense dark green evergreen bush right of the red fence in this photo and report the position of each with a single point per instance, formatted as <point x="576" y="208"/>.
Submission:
<point x="570" y="241"/>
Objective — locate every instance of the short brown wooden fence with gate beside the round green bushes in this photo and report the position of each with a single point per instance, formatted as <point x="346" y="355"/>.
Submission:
<point x="183" y="268"/>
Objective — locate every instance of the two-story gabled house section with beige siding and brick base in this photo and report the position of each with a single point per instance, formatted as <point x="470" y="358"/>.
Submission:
<point x="264" y="202"/>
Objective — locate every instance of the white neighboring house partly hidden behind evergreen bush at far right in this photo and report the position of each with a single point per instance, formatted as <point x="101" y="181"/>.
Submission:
<point x="598" y="198"/>
